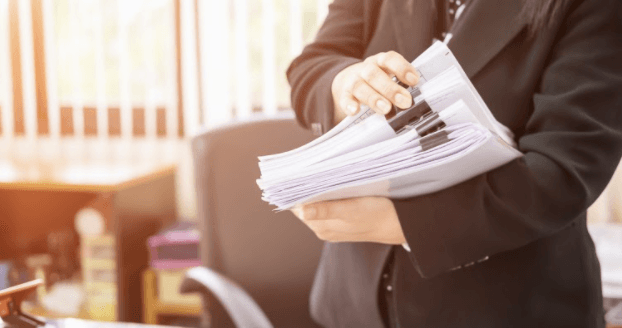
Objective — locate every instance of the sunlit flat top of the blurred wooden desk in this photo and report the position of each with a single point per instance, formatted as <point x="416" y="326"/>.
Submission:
<point x="87" y="165"/>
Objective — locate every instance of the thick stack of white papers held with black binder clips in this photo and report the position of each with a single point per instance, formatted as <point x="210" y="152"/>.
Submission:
<point x="448" y="136"/>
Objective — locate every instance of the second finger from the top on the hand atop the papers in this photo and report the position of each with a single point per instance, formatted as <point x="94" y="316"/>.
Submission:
<point x="382" y="83"/>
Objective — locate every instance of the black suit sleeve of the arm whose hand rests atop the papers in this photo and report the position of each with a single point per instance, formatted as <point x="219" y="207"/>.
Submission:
<point x="339" y="43"/>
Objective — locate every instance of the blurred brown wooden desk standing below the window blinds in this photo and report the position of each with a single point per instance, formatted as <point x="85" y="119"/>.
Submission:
<point x="39" y="194"/>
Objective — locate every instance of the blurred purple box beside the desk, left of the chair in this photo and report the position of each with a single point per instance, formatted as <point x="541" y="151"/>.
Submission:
<point x="176" y="247"/>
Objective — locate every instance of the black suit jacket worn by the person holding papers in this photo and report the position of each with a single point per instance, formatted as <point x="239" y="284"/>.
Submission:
<point x="508" y="248"/>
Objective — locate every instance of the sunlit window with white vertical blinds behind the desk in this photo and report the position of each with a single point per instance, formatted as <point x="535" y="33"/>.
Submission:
<point x="145" y="69"/>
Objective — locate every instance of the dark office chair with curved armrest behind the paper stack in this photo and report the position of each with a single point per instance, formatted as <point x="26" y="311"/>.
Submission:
<point x="273" y="256"/>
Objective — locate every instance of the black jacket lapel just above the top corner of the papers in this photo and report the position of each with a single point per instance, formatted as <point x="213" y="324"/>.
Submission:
<point x="485" y="28"/>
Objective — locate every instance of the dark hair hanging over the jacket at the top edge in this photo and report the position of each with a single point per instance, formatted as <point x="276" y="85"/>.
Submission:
<point x="542" y="13"/>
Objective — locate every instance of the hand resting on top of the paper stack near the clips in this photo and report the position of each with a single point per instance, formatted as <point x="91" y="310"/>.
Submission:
<point x="369" y="83"/>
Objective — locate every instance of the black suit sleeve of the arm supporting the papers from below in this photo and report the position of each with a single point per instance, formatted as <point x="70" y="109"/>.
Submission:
<point x="572" y="145"/>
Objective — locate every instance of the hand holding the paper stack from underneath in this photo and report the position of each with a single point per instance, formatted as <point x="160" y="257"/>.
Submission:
<point x="364" y="219"/>
